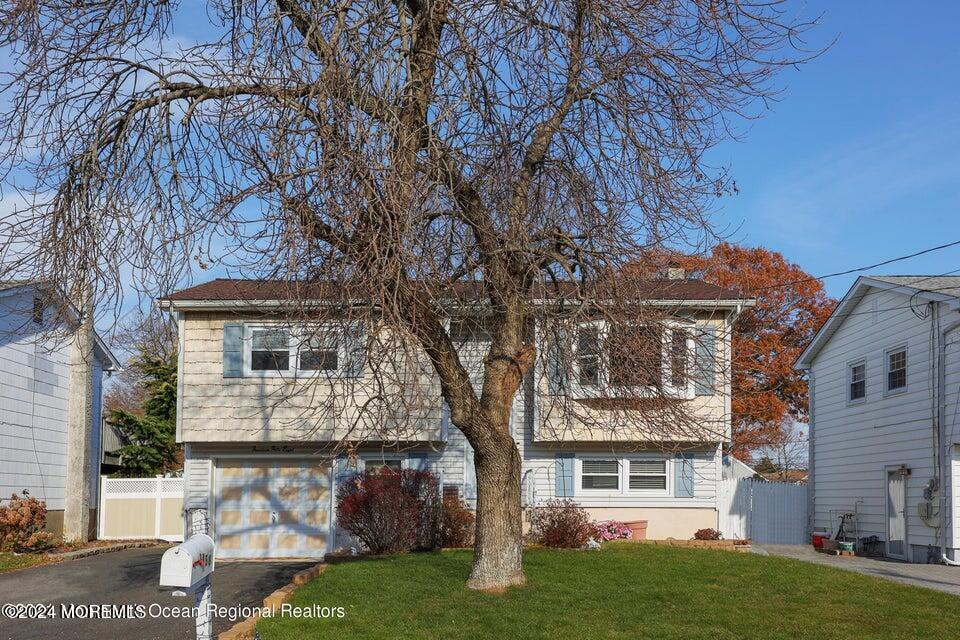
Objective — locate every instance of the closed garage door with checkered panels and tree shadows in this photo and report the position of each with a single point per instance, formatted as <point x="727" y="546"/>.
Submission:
<point x="272" y="509"/>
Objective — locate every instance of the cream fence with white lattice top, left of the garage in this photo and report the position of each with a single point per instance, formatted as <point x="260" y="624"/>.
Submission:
<point x="132" y="508"/>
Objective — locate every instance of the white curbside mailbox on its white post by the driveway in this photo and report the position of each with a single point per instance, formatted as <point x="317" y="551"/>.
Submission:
<point x="188" y="566"/>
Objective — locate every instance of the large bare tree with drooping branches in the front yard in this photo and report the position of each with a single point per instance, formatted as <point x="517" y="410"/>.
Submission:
<point x="421" y="155"/>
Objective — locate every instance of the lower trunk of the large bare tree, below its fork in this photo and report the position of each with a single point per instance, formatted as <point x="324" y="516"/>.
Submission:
<point x="498" y="548"/>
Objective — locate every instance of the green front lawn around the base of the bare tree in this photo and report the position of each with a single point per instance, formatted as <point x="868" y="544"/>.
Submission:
<point x="624" y="591"/>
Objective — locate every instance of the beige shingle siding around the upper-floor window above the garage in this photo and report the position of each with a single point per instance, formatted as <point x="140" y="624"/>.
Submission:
<point x="284" y="409"/>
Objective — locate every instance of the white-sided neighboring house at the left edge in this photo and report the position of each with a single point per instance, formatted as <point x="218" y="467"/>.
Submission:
<point x="34" y="393"/>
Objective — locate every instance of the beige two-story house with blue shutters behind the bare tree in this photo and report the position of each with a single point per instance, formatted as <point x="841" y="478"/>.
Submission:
<point x="258" y="455"/>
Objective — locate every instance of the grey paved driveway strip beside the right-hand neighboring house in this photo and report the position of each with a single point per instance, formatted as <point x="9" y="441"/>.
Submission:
<point x="931" y="576"/>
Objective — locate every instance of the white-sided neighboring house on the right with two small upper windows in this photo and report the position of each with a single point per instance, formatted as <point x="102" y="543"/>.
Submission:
<point x="884" y="374"/>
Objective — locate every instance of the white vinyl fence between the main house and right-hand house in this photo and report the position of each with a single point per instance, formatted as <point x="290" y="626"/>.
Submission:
<point x="771" y="512"/>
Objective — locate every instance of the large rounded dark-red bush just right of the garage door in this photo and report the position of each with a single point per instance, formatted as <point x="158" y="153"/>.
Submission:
<point x="391" y="511"/>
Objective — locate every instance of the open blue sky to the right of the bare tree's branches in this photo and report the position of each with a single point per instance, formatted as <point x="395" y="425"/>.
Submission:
<point x="859" y="161"/>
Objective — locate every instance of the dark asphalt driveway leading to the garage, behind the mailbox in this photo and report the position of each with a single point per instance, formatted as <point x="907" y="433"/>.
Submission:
<point x="129" y="577"/>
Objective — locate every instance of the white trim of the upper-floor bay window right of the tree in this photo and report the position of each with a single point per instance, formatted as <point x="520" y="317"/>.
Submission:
<point x="666" y="363"/>
